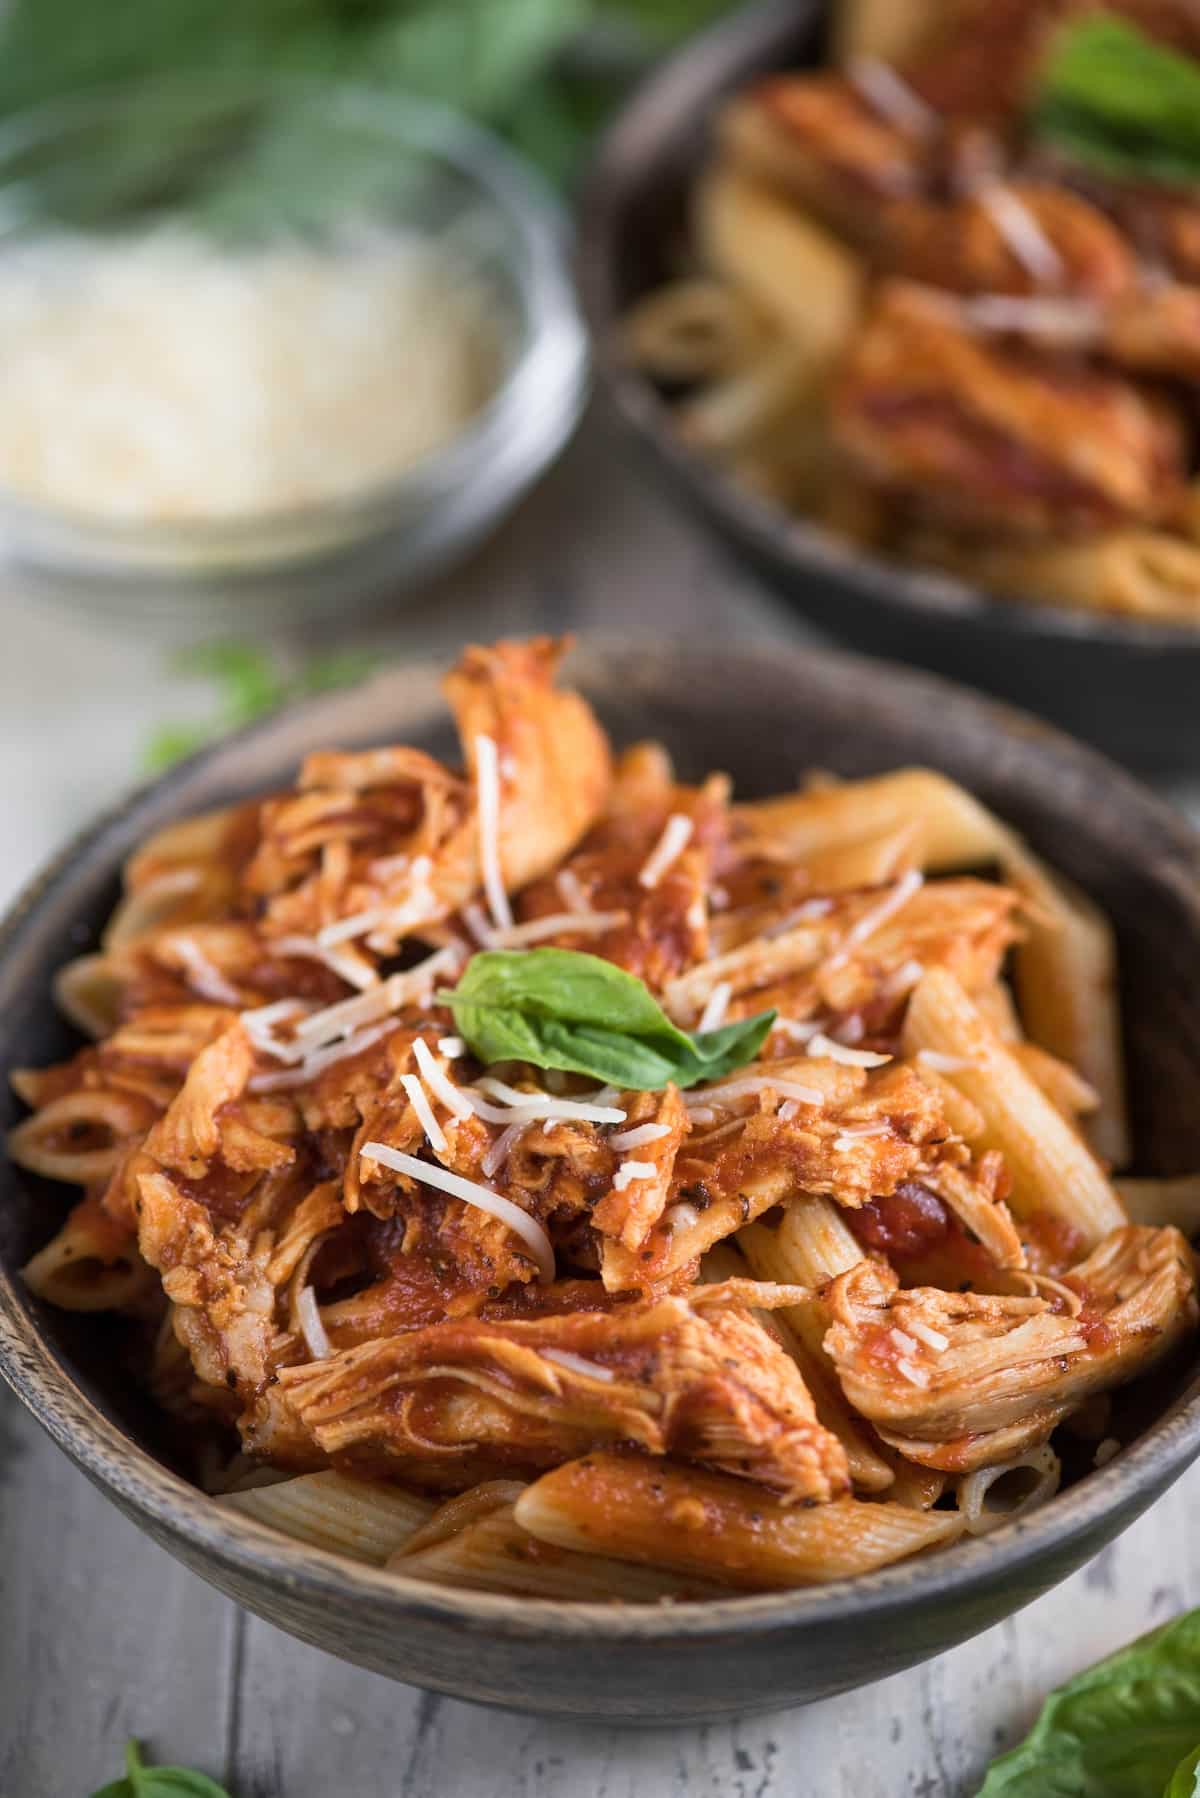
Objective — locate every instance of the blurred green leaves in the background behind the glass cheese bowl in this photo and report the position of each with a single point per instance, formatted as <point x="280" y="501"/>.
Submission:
<point x="539" y="71"/>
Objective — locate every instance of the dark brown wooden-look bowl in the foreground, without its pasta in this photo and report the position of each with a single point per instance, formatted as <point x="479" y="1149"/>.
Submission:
<point x="764" y="717"/>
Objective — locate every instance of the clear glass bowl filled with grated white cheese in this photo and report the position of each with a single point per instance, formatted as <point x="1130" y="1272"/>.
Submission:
<point x="269" y="346"/>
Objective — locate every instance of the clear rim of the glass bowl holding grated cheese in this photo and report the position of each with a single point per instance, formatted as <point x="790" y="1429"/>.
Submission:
<point x="551" y="355"/>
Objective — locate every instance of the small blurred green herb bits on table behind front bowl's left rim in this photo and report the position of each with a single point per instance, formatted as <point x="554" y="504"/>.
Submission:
<point x="247" y="682"/>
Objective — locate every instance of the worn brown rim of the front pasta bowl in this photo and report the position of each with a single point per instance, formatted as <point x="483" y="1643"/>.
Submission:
<point x="255" y="1551"/>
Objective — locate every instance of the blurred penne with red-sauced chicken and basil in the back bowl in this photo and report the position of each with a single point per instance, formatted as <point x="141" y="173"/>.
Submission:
<point x="944" y="296"/>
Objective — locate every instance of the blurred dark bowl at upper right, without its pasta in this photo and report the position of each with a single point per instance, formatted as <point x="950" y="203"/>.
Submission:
<point x="1125" y="684"/>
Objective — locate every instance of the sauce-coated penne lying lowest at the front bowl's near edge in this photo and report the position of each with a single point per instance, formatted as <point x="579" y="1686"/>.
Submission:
<point x="656" y="1513"/>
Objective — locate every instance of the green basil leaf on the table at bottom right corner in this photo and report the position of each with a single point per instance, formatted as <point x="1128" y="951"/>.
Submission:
<point x="1118" y="1731"/>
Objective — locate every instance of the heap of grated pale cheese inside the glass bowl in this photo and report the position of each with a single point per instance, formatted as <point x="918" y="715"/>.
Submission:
<point x="226" y="407"/>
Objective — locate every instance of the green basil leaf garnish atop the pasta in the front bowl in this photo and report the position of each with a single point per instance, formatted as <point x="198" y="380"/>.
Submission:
<point x="584" y="1015"/>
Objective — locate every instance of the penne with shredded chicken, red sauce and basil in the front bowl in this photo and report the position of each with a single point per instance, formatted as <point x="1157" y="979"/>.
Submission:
<point x="535" y="1179"/>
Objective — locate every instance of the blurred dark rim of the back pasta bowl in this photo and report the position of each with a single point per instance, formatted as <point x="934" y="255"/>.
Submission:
<point x="758" y="37"/>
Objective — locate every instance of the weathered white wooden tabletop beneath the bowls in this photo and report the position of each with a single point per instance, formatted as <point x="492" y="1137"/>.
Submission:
<point x="105" y="1637"/>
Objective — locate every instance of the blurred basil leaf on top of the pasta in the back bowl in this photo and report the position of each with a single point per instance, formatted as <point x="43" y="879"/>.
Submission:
<point x="1116" y="100"/>
